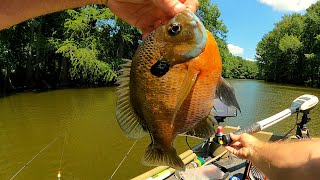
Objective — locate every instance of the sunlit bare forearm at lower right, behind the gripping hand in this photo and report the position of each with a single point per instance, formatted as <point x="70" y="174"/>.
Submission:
<point x="288" y="160"/>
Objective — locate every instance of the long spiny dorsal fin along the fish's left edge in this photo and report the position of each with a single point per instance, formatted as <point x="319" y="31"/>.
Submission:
<point x="128" y="121"/>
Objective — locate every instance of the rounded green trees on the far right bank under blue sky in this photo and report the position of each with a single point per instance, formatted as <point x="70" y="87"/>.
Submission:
<point x="290" y="53"/>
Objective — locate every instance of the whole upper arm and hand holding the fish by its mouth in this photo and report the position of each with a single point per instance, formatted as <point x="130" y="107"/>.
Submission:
<point x="146" y="15"/>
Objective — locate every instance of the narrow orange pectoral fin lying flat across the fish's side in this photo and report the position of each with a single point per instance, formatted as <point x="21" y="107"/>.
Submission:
<point x="186" y="87"/>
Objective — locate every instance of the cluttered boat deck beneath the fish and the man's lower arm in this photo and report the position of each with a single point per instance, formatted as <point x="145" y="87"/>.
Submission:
<point x="229" y="164"/>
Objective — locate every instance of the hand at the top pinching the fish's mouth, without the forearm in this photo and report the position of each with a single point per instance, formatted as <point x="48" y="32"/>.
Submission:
<point x="147" y="15"/>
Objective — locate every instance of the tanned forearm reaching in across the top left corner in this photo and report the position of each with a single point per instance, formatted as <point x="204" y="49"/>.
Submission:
<point x="15" y="11"/>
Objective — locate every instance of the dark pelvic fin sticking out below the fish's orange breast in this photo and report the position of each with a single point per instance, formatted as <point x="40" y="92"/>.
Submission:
<point x="225" y="93"/>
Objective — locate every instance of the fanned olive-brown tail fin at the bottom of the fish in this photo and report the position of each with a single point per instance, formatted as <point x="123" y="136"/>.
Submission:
<point x="155" y="155"/>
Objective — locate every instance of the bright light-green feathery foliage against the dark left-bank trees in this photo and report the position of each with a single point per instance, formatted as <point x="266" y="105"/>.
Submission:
<point x="80" y="46"/>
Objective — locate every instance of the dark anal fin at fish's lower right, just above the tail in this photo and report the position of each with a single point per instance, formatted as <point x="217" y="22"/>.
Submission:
<point x="204" y="129"/>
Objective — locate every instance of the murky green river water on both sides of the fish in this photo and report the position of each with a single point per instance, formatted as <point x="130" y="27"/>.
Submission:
<point x="94" y="144"/>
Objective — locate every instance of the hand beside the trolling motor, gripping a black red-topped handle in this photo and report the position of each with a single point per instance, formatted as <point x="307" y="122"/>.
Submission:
<point x="244" y="146"/>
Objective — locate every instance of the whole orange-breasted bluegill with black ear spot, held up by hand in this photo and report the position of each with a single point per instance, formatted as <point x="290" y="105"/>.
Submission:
<point x="168" y="89"/>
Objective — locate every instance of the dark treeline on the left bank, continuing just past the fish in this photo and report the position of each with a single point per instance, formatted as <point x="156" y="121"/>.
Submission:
<point x="84" y="47"/>
